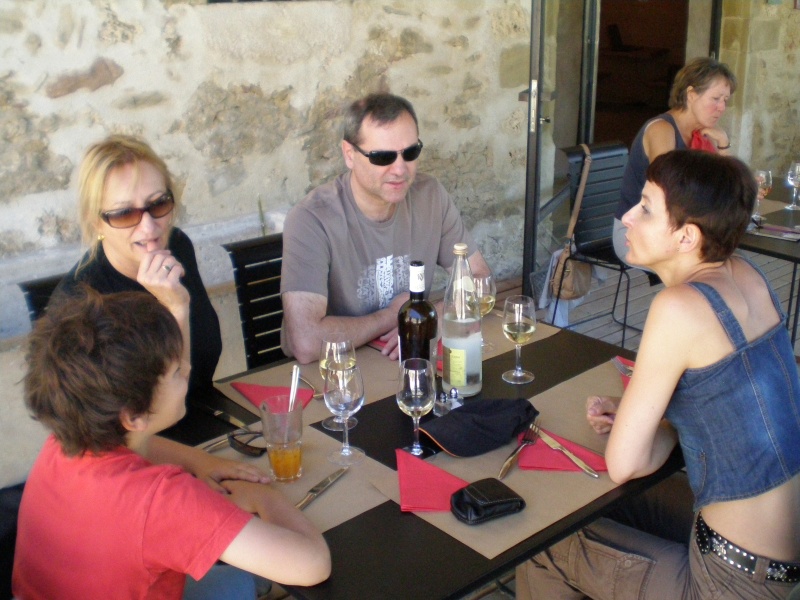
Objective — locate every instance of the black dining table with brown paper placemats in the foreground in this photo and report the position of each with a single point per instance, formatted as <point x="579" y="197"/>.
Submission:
<point x="380" y="551"/>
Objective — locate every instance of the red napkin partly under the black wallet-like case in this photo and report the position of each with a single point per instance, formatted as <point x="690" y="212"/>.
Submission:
<point x="424" y="487"/>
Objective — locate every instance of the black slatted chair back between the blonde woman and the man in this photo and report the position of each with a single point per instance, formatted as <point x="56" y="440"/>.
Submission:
<point x="257" y="274"/>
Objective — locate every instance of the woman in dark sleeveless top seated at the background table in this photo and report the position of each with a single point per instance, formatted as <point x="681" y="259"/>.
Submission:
<point x="697" y="101"/>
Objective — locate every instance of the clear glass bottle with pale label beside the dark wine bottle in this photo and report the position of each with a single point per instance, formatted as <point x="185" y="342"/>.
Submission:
<point x="461" y="330"/>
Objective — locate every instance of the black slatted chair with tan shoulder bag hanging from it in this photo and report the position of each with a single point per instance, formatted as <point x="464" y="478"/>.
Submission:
<point x="594" y="229"/>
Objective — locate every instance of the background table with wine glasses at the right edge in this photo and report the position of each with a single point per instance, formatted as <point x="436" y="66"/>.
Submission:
<point x="771" y="243"/>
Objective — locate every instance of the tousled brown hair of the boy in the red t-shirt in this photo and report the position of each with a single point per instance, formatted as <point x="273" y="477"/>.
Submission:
<point x="91" y="356"/>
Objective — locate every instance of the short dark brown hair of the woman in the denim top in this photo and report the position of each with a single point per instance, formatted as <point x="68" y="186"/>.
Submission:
<point x="714" y="192"/>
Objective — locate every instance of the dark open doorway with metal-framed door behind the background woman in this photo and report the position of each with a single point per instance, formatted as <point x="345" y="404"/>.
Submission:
<point x="577" y="95"/>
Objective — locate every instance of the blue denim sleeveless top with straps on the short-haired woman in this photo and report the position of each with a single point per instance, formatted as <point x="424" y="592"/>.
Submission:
<point x="738" y="420"/>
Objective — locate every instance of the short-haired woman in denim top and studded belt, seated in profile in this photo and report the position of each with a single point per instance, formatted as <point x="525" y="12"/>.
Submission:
<point x="716" y="372"/>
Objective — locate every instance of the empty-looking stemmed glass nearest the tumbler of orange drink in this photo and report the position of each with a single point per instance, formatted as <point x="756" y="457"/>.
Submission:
<point x="344" y="395"/>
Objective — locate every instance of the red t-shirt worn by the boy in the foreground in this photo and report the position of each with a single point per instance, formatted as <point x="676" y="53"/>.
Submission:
<point x="116" y="526"/>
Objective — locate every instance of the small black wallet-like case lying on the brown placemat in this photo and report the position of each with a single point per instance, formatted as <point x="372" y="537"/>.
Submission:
<point x="485" y="500"/>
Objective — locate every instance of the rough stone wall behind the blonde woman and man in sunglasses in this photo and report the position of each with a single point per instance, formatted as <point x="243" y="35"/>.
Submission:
<point x="243" y="102"/>
